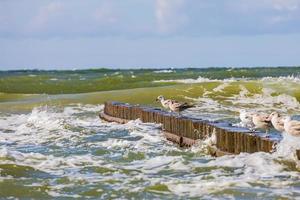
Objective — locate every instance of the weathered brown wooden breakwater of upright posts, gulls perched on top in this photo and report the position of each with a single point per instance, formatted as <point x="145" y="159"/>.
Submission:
<point x="187" y="131"/>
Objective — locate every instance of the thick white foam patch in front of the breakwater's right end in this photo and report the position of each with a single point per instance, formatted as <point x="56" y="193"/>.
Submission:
<point x="239" y="171"/>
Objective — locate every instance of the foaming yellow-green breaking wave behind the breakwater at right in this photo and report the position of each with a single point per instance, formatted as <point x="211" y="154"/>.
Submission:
<point x="229" y="97"/>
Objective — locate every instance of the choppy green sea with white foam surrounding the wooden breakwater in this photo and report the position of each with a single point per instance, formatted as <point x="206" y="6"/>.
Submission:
<point x="53" y="145"/>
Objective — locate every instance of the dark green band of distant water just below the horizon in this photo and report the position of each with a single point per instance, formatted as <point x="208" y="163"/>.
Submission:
<point x="83" y="81"/>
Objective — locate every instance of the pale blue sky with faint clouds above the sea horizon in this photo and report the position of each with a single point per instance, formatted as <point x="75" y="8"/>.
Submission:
<point x="64" y="34"/>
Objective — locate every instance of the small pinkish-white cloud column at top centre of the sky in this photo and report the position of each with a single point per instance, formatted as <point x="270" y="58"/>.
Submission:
<point x="169" y="15"/>
